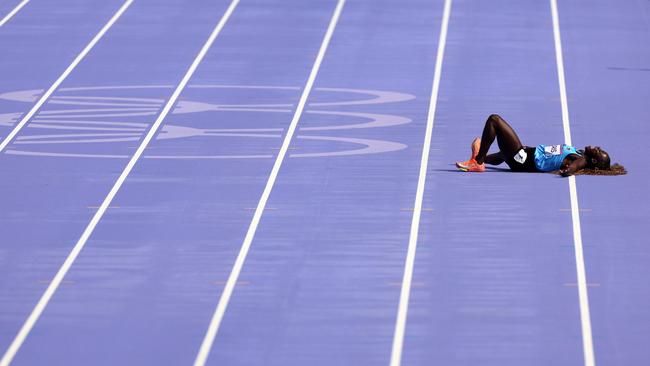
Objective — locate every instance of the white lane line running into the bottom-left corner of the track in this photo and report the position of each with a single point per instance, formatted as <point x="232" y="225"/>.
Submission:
<point x="51" y="289"/>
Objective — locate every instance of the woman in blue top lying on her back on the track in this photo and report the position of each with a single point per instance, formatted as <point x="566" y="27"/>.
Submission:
<point x="563" y="159"/>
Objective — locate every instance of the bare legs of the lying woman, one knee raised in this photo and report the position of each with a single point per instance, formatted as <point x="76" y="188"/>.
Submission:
<point x="507" y="139"/>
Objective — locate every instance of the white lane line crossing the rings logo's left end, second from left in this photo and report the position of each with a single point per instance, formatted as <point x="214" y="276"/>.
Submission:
<point x="61" y="78"/>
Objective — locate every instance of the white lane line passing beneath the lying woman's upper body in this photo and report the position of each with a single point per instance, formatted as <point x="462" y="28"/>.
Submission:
<point x="585" y="318"/>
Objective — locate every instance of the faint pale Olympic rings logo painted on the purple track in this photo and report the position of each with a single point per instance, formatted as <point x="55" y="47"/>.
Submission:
<point x="110" y="121"/>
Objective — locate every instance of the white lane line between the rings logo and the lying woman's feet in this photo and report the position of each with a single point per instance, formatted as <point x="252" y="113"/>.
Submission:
<point x="400" y="324"/>
